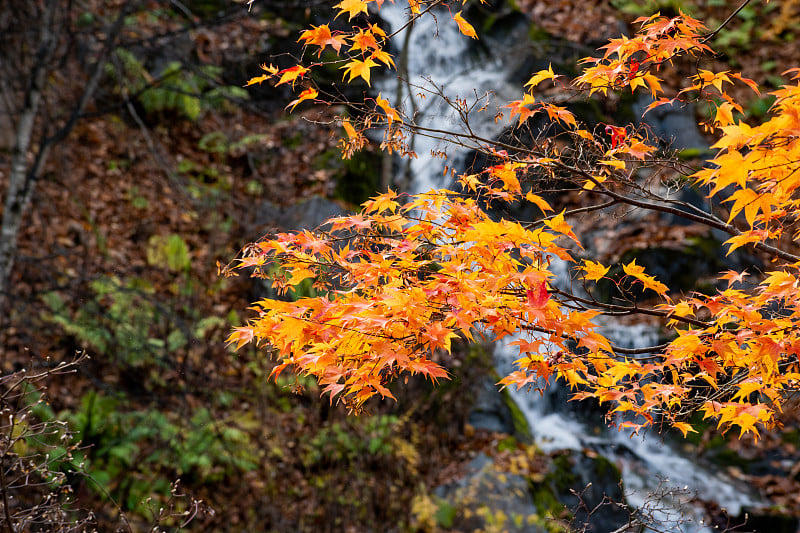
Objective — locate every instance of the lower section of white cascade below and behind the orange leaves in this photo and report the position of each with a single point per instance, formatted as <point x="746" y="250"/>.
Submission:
<point x="648" y="464"/>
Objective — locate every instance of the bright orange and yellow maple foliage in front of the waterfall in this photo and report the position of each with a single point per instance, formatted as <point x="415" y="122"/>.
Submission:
<point x="410" y="274"/>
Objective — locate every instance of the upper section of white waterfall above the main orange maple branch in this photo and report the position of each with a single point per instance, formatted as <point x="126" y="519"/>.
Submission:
<point x="441" y="59"/>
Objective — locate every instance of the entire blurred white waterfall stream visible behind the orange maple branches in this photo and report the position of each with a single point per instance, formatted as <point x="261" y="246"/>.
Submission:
<point x="441" y="60"/>
